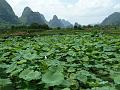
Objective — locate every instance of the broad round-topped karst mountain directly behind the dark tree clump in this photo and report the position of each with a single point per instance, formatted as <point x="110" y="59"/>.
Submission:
<point x="28" y="17"/>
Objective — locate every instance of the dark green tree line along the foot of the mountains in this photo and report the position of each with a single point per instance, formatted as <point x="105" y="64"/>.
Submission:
<point x="75" y="27"/>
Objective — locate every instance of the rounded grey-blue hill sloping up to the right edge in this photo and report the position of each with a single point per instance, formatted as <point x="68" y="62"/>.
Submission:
<point x="113" y="19"/>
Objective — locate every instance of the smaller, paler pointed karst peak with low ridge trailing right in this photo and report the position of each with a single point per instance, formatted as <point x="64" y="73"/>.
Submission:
<point x="55" y="22"/>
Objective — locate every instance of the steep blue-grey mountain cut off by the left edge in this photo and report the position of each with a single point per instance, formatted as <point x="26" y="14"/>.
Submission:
<point x="7" y="14"/>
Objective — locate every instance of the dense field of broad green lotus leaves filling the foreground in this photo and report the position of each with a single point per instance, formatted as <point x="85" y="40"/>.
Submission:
<point x="86" y="61"/>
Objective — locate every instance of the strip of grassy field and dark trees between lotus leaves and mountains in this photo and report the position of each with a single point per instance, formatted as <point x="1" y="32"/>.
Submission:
<point x="44" y="30"/>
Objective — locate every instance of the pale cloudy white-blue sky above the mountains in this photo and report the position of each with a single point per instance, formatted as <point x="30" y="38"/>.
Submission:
<point x="81" y="11"/>
